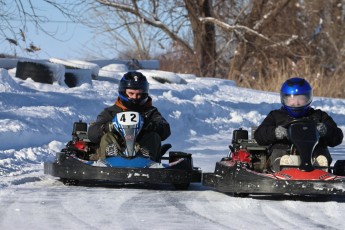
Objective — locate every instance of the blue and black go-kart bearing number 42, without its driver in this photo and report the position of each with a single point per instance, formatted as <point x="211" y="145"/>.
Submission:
<point x="73" y="163"/>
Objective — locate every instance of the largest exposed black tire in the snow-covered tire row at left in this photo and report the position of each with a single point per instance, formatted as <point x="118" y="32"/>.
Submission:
<point x="38" y="72"/>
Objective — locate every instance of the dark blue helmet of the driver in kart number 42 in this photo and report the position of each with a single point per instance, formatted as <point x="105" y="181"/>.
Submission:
<point x="133" y="80"/>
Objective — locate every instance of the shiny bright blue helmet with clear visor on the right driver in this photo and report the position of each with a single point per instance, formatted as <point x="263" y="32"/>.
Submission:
<point x="296" y="96"/>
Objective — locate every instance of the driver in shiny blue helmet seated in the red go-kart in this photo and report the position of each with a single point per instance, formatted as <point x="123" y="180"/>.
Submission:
<point x="296" y="96"/>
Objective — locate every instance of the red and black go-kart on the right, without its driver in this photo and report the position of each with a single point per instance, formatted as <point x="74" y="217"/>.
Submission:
<point x="246" y="169"/>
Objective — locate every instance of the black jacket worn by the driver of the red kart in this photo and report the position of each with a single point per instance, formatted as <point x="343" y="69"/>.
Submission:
<point x="265" y="133"/>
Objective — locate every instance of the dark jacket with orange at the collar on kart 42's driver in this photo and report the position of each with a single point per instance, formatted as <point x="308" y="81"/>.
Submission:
<point x="153" y="121"/>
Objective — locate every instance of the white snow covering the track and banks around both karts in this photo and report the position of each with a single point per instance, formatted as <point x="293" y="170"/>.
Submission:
<point x="36" y="122"/>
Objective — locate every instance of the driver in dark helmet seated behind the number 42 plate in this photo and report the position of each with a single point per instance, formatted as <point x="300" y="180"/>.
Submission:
<point x="133" y="96"/>
